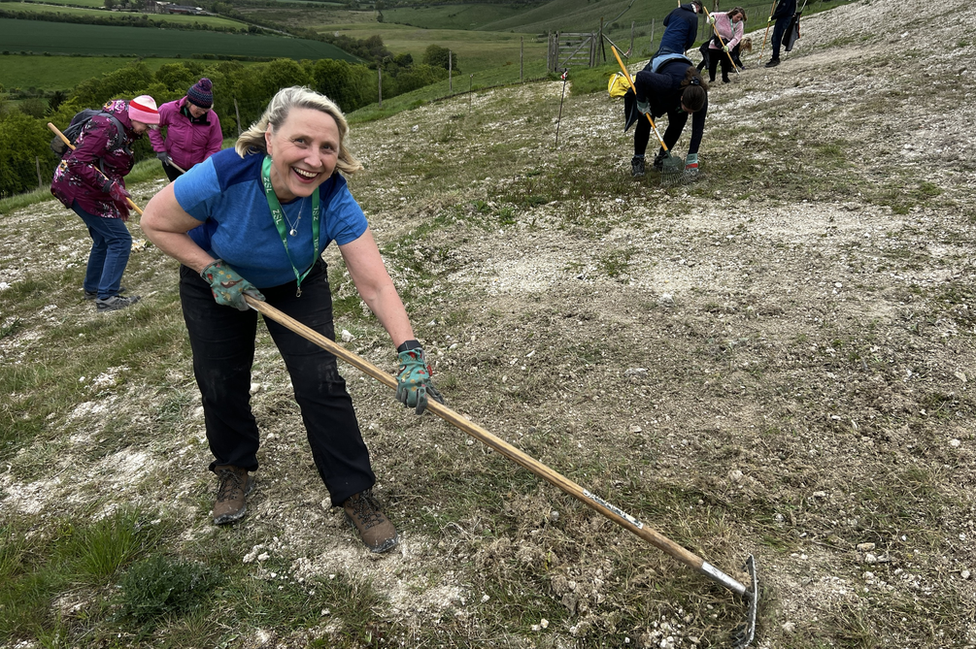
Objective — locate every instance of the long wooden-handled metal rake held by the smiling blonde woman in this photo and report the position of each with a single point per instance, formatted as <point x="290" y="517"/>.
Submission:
<point x="742" y="636"/>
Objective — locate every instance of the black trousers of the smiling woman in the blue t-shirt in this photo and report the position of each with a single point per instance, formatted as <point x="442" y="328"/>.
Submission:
<point x="222" y="341"/>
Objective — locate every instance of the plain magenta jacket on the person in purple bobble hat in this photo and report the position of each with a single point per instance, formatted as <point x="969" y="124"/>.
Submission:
<point x="188" y="142"/>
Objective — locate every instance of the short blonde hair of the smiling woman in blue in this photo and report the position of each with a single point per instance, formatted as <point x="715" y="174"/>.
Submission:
<point x="252" y="140"/>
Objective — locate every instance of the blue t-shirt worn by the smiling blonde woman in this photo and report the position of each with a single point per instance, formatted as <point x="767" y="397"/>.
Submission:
<point x="226" y="193"/>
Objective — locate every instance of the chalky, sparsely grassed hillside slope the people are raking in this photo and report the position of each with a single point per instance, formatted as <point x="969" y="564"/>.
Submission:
<point x="773" y="361"/>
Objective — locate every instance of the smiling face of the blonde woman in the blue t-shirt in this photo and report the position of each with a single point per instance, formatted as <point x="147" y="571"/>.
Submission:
<point x="304" y="151"/>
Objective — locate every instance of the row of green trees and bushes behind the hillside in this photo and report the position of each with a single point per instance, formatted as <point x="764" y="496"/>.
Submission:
<point x="241" y="93"/>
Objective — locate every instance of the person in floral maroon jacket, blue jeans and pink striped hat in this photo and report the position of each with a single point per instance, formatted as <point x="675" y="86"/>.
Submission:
<point x="89" y="181"/>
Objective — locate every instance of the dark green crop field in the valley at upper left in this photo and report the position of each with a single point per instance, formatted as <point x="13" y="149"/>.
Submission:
<point x="64" y="38"/>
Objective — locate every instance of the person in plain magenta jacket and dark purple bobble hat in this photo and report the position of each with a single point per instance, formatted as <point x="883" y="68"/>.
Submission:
<point x="192" y="130"/>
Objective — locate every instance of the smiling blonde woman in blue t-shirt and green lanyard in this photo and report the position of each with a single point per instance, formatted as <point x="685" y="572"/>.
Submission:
<point x="255" y="220"/>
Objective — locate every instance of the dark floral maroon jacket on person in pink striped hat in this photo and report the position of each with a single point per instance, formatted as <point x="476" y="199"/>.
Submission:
<point x="100" y="157"/>
